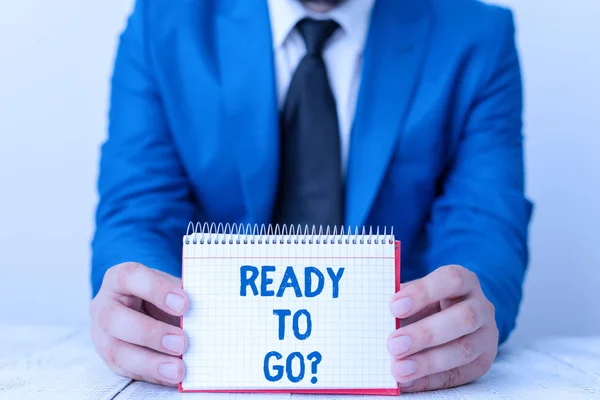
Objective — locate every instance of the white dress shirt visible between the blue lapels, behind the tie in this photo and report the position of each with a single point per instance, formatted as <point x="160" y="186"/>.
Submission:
<point x="342" y="53"/>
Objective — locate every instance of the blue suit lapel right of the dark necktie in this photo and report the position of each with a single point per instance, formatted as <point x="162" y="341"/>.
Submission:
<point x="393" y="55"/>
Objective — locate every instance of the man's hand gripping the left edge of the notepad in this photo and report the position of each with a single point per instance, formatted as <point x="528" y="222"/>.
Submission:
<point x="133" y="324"/>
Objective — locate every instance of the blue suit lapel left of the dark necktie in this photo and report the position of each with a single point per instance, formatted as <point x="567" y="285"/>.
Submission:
<point x="246" y="75"/>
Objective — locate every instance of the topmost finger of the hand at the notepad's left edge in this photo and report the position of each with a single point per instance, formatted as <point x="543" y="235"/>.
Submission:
<point x="137" y="280"/>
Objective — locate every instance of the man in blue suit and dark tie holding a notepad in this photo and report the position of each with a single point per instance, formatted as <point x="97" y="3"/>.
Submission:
<point x="396" y="113"/>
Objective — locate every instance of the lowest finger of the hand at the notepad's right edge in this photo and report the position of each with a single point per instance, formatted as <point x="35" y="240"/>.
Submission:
<point x="453" y="377"/>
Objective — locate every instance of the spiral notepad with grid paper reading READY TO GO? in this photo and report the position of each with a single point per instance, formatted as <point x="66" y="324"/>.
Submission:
<point x="289" y="310"/>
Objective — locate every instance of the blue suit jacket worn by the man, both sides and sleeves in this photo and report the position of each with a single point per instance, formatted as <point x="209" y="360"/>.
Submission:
<point x="436" y="145"/>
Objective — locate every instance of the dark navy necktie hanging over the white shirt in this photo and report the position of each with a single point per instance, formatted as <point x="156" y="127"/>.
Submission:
<point x="310" y="188"/>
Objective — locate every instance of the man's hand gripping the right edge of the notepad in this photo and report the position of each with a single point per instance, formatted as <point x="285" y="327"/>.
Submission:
<point x="448" y="335"/>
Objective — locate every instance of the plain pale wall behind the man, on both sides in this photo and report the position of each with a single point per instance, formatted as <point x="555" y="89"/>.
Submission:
<point x="55" y="63"/>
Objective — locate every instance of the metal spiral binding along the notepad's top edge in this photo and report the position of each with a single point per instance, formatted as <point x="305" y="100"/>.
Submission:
<point x="269" y="234"/>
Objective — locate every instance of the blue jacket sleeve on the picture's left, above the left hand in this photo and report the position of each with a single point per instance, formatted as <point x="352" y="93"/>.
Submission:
<point x="144" y="197"/>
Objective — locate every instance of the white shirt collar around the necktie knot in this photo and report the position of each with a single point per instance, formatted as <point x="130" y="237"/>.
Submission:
<point x="353" y="16"/>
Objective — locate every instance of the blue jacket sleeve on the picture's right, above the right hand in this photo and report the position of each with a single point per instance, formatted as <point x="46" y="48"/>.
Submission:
<point x="480" y="220"/>
